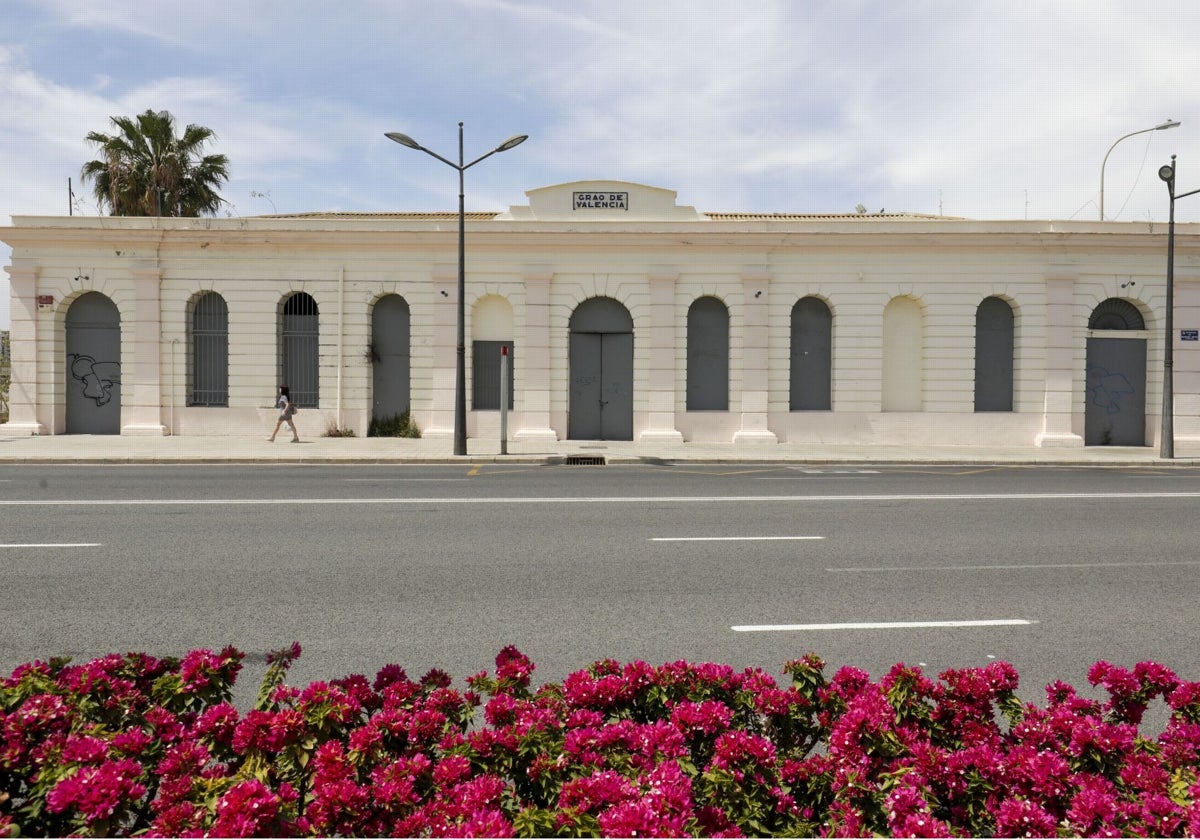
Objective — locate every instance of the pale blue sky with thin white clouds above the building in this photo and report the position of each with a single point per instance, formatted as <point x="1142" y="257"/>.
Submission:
<point x="992" y="111"/>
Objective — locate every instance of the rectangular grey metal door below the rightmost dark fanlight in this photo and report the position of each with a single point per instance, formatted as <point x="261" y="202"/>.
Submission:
<point x="1117" y="393"/>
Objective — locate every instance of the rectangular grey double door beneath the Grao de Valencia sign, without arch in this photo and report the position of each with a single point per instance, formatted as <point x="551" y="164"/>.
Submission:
<point x="602" y="401"/>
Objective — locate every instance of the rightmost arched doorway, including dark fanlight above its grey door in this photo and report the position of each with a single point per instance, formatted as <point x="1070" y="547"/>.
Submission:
<point x="1115" y="415"/>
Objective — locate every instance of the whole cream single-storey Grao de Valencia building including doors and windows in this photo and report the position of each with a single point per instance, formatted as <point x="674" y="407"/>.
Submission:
<point x="625" y="316"/>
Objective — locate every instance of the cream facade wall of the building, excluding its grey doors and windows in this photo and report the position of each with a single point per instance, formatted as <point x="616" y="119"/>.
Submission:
<point x="543" y="261"/>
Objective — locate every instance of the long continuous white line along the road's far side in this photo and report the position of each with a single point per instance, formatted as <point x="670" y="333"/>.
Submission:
<point x="625" y="500"/>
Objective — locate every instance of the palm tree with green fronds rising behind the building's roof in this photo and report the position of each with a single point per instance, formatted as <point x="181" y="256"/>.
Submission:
<point x="145" y="170"/>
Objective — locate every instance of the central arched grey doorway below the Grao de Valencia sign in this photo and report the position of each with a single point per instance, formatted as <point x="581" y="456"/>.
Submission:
<point x="602" y="362"/>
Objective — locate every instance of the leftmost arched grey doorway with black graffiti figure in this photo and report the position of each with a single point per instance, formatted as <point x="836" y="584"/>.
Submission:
<point x="94" y="367"/>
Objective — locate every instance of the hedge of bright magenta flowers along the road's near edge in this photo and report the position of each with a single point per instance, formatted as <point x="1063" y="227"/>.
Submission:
<point x="134" y="745"/>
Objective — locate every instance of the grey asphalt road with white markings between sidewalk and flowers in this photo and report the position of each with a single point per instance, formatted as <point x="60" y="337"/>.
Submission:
<point x="443" y="566"/>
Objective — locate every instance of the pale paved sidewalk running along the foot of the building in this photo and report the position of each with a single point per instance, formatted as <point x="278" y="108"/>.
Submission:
<point x="125" y="449"/>
